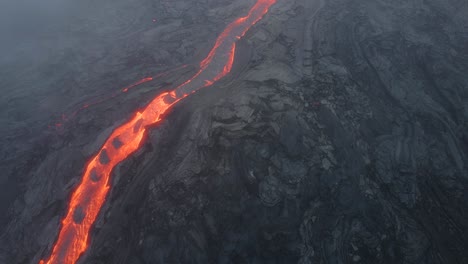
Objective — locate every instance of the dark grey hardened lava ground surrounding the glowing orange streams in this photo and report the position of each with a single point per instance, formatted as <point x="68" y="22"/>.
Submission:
<point x="340" y="137"/>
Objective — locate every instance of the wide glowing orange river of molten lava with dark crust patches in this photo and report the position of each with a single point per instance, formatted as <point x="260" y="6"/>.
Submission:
<point x="89" y="196"/>
